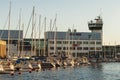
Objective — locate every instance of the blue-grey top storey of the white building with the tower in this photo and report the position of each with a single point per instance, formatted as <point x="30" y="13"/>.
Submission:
<point x="74" y="35"/>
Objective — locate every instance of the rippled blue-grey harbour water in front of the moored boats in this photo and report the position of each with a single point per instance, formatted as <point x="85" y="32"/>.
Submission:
<point x="101" y="71"/>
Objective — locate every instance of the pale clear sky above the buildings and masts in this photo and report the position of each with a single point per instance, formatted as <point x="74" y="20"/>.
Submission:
<point x="69" y="13"/>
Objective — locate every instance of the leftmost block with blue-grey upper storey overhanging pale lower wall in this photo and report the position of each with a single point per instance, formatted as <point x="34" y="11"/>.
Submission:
<point x="12" y="37"/>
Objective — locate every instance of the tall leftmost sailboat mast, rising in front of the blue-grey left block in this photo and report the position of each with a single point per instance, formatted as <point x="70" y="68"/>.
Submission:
<point x="9" y="31"/>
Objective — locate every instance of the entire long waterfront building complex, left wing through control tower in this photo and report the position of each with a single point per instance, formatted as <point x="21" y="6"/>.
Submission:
<point x="69" y="42"/>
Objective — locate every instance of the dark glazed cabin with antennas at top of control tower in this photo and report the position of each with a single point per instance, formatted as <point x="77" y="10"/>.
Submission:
<point x="96" y="25"/>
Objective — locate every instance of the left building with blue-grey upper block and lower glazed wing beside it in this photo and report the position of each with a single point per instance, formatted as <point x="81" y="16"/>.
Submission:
<point x="19" y="46"/>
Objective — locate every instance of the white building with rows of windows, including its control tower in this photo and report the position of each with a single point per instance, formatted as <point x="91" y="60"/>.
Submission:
<point x="76" y="43"/>
